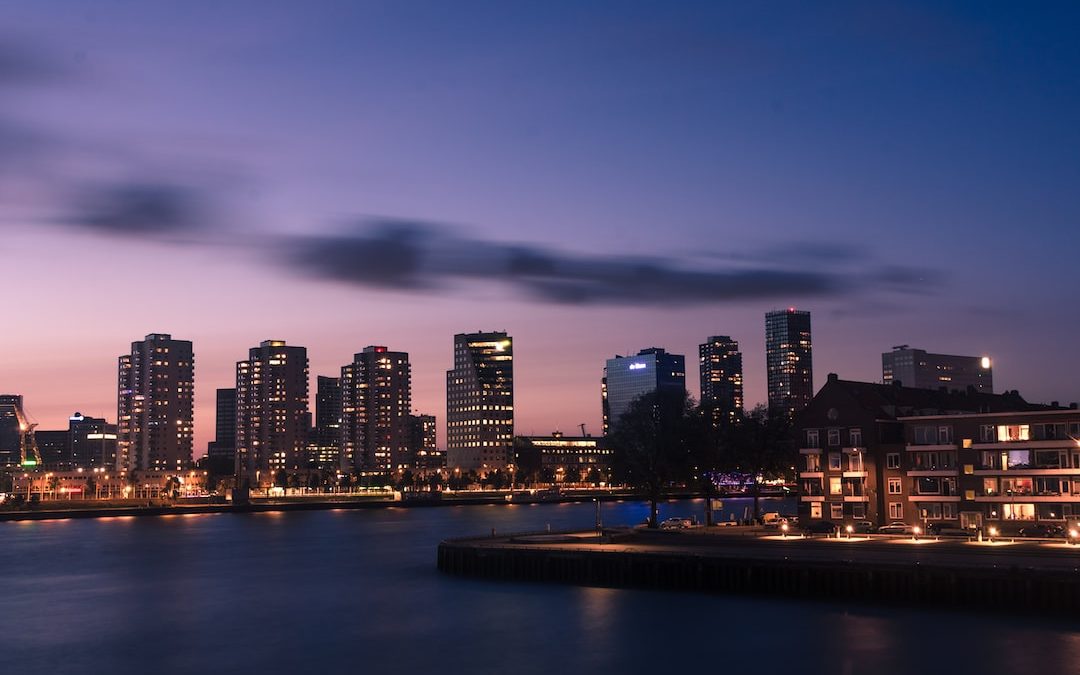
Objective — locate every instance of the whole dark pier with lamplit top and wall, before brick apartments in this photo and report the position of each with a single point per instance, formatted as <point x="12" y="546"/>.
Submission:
<point x="1031" y="577"/>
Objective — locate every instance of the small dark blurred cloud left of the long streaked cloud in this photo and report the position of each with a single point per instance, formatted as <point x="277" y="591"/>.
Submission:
<point x="143" y="210"/>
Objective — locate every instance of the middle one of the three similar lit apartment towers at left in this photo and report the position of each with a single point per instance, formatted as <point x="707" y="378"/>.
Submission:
<point x="272" y="411"/>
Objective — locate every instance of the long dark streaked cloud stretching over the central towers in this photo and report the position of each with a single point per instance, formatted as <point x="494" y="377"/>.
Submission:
<point x="409" y="255"/>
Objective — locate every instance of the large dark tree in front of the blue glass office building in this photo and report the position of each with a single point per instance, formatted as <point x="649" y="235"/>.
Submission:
<point x="655" y="444"/>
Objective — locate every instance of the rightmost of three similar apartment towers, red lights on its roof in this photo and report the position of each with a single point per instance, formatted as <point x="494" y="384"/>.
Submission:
<point x="376" y="399"/>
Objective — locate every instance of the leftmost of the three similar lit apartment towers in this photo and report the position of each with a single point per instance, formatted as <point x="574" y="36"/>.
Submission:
<point x="156" y="406"/>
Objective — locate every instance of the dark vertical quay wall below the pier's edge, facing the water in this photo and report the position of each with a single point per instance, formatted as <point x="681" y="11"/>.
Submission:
<point x="1010" y="590"/>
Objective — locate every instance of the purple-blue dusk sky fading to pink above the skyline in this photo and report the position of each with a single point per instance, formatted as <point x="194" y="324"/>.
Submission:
<point x="593" y="178"/>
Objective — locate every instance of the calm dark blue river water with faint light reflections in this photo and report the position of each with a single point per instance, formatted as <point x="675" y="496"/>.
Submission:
<point x="358" y="592"/>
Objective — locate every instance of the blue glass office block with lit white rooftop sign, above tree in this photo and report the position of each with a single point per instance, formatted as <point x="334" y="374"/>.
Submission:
<point x="627" y="379"/>
